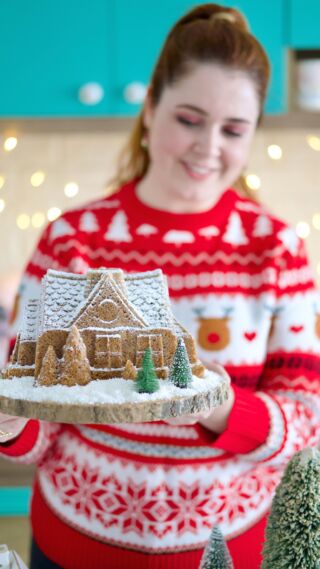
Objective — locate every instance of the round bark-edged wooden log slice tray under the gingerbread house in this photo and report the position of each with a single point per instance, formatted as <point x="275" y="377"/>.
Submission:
<point x="209" y="392"/>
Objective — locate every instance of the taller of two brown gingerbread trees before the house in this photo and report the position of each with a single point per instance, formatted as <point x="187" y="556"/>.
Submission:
<point x="75" y="367"/>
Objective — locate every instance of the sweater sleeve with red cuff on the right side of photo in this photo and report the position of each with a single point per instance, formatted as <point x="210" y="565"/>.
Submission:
<point x="283" y="415"/>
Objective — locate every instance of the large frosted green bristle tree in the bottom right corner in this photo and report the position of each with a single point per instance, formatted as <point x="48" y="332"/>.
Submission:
<point x="293" y="530"/>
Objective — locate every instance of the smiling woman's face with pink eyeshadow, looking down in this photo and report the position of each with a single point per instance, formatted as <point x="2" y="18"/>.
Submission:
<point x="199" y="136"/>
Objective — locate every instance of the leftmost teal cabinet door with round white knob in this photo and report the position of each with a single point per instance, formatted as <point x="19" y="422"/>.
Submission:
<point x="48" y="50"/>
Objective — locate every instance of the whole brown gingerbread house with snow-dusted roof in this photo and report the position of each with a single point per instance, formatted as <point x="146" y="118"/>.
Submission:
<point x="116" y="316"/>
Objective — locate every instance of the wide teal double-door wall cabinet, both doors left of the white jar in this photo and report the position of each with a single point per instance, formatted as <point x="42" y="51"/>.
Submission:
<point x="49" y="50"/>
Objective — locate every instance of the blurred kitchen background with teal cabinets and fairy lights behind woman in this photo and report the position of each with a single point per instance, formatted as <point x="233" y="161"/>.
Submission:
<point x="74" y="74"/>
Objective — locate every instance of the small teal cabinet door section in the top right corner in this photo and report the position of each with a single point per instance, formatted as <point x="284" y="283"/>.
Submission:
<point x="304" y="30"/>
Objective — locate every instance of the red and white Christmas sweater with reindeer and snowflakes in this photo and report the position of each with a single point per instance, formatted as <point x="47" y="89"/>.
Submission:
<point x="240" y="282"/>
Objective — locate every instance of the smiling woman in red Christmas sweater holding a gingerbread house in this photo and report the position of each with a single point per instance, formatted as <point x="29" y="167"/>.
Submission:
<point x="147" y="495"/>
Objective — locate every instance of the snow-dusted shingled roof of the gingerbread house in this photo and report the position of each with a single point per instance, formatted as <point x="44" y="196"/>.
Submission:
<point x="65" y="295"/>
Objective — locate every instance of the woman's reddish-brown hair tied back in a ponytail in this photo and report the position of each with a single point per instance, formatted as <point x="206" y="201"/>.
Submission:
<point x="207" y="34"/>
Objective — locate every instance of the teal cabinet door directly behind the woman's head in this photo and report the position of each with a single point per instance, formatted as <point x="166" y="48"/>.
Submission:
<point x="141" y="27"/>
